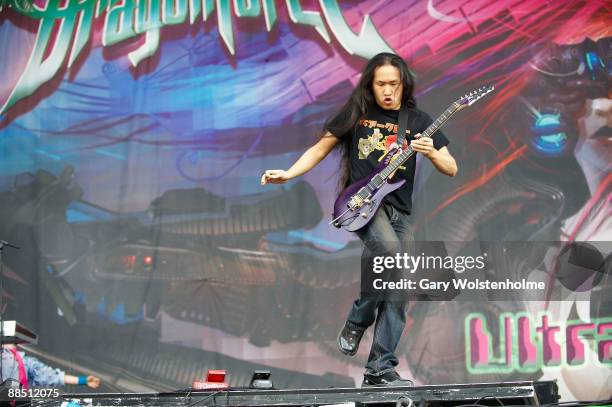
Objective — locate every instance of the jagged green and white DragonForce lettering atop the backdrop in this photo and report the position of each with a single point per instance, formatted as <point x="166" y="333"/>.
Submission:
<point x="125" y="19"/>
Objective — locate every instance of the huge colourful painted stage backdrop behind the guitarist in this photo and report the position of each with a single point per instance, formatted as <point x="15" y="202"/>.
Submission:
<point x="133" y="136"/>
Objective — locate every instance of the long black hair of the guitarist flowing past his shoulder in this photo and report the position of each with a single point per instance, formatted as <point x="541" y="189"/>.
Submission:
<point x="361" y="100"/>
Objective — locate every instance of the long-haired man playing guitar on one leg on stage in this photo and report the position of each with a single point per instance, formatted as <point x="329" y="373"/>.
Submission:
<point x="365" y="128"/>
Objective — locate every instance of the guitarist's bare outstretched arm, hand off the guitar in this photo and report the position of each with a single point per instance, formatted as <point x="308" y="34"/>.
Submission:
<point x="305" y="163"/>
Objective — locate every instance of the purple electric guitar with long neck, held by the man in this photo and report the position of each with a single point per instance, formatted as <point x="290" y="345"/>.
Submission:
<point x="358" y="203"/>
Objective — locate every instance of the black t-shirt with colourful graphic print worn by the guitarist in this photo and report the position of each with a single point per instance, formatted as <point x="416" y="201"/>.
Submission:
<point x="372" y="139"/>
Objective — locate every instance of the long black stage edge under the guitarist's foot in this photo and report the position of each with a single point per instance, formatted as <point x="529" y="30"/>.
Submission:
<point x="492" y="394"/>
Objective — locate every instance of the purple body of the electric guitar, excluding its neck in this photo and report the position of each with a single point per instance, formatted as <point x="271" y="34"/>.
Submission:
<point x="354" y="219"/>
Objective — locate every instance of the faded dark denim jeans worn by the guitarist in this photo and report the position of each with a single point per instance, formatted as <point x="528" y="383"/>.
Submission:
<point x="389" y="232"/>
